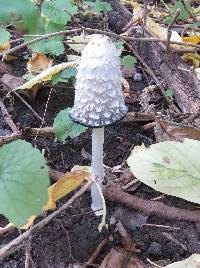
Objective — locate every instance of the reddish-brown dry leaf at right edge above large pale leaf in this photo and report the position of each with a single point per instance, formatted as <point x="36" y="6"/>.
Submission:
<point x="166" y="131"/>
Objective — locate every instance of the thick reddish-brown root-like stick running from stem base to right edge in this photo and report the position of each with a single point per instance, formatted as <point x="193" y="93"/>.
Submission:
<point x="149" y="207"/>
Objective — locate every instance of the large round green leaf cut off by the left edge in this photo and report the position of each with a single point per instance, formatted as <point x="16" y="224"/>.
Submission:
<point x="24" y="181"/>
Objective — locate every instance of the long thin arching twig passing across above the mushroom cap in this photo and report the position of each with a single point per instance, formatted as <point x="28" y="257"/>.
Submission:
<point x="92" y="31"/>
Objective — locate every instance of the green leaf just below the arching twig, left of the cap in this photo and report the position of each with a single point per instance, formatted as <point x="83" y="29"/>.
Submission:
<point x="48" y="47"/>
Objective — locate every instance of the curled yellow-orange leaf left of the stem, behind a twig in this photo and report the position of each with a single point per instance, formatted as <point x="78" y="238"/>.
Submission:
<point x="67" y="183"/>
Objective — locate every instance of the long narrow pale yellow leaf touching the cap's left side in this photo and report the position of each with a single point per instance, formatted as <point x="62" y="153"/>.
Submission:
<point x="46" y="75"/>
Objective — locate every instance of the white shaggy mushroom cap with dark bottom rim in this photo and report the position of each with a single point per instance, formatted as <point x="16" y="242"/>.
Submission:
<point x="98" y="97"/>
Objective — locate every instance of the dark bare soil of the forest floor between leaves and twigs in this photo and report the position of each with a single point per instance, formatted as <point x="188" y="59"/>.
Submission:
<point x="73" y="236"/>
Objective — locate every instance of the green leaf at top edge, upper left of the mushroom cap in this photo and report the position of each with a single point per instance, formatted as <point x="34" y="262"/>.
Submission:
<point x="59" y="11"/>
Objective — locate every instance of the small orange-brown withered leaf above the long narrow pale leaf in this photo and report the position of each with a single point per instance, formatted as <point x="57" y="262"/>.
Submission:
<point x="38" y="63"/>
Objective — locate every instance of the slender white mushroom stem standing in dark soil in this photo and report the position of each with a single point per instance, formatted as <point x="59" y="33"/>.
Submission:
<point x="97" y="169"/>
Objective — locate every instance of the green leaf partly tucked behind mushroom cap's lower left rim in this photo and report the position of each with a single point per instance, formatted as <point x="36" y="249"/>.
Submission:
<point x="64" y="127"/>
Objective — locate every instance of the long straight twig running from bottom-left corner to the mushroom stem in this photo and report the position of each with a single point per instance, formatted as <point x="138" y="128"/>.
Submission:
<point x="17" y="243"/>
